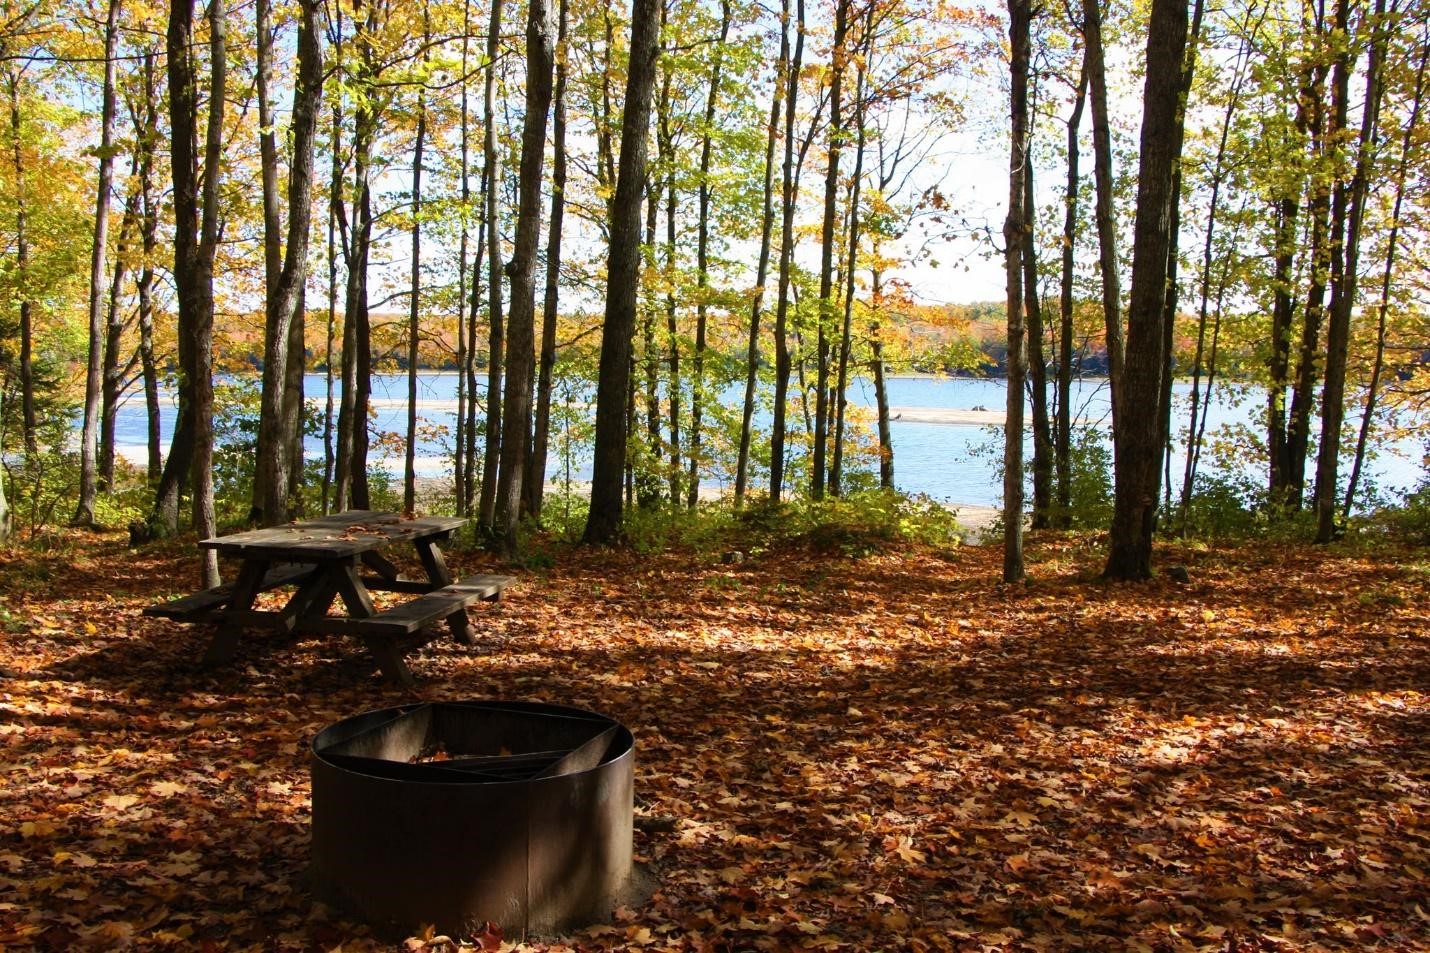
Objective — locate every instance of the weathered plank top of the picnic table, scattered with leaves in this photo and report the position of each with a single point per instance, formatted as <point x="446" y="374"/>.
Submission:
<point x="332" y="537"/>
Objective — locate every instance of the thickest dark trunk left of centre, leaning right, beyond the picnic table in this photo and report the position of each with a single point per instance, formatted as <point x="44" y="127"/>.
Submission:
<point x="623" y="278"/>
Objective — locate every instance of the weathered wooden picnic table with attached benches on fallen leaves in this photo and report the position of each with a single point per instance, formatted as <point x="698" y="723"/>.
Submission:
<point x="330" y="560"/>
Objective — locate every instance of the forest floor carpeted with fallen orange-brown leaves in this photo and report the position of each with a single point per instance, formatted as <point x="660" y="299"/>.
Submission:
<point x="833" y="753"/>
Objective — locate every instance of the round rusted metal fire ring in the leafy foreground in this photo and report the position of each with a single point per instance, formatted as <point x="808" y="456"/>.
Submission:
<point x="460" y="813"/>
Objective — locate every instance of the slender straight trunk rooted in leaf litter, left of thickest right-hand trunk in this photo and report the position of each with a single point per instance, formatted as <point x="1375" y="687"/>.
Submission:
<point x="1020" y="18"/>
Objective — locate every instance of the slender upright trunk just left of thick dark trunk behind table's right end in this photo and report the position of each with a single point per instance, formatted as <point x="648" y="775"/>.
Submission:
<point x="497" y="327"/>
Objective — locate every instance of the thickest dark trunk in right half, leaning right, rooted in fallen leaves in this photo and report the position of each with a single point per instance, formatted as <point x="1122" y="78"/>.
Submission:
<point x="1136" y="434"/>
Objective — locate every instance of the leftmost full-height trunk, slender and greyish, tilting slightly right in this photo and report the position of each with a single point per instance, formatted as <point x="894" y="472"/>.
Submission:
<point x="99" y="273"/>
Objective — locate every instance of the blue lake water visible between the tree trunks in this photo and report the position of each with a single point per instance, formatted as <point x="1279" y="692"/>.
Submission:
<point x="949" y="461"/>
